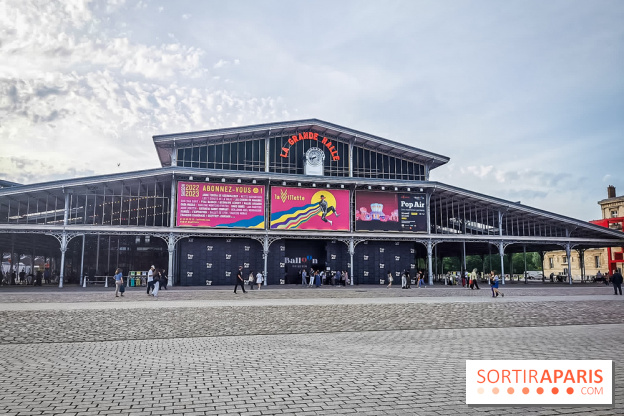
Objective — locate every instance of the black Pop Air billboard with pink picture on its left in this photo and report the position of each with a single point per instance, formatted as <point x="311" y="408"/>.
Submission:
<point x="388" y="211"/>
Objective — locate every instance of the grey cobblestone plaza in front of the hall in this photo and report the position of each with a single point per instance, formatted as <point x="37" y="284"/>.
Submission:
<point x="289" y="350"/>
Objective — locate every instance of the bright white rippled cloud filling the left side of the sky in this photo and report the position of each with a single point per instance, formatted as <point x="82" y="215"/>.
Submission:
<point x="87" y="103"/>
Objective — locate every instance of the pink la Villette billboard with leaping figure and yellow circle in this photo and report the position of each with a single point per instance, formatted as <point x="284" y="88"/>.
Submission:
<point x="309" y="209"/>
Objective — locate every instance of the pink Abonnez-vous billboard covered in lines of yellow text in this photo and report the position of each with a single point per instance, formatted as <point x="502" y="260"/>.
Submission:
<point x="220" y="205"/>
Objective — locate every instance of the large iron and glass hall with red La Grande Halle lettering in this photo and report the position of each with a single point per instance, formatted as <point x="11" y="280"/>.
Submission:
<point x="274" y="198"/>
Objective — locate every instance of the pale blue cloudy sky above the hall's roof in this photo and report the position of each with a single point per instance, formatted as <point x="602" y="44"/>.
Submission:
<point x="525" y="97"/>
